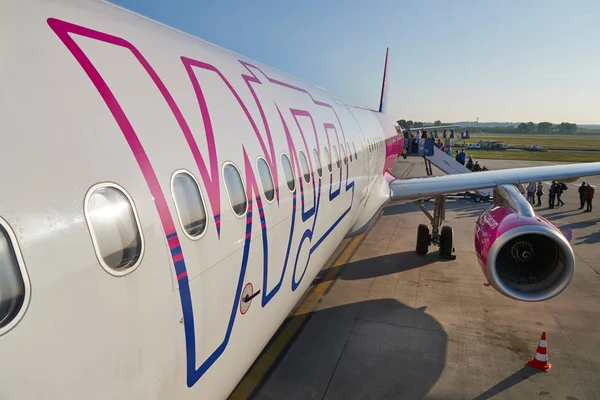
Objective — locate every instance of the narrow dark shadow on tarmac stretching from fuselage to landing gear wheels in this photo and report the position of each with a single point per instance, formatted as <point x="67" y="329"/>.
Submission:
<point x="379" y="266"/>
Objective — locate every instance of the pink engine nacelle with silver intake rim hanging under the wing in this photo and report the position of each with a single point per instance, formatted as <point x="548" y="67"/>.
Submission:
<point x="522" y="254"/>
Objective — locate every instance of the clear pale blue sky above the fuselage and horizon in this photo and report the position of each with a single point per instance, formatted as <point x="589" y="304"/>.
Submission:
<point x="455" y="60"/>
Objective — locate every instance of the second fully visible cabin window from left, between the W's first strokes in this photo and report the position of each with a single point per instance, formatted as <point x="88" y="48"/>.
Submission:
<point x="188" y="203"/>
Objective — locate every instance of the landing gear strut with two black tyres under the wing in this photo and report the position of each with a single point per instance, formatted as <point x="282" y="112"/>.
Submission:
<point x="441" y="237"/>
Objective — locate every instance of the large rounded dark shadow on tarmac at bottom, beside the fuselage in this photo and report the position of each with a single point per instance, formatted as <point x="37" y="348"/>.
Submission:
<point x="375" y="349"/>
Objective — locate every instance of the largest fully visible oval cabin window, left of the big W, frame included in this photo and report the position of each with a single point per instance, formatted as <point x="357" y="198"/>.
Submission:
<point x="115" y="228"/>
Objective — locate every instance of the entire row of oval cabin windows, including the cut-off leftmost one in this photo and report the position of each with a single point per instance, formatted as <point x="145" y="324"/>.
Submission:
<point x="115" y="228"/>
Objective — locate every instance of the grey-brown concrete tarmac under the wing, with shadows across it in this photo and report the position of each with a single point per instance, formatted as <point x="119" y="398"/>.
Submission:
<point x="384" y="323"/>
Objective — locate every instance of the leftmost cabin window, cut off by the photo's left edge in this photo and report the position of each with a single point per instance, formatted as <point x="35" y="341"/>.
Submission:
<point x="13" y="281"/>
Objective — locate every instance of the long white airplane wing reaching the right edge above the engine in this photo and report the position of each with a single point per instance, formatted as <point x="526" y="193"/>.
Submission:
<point x="417" y="188"/>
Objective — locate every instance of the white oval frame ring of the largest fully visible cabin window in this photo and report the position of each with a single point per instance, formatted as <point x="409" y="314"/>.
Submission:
<point x="107" y="268"/>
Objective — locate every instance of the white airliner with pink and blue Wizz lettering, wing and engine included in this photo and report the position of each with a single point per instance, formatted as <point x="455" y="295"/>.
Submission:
<point x="166" y="202"/>
